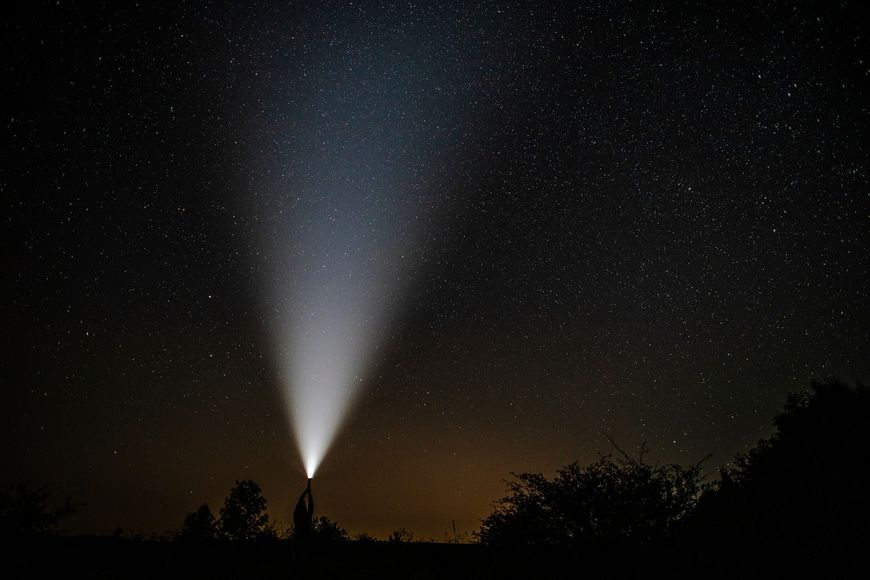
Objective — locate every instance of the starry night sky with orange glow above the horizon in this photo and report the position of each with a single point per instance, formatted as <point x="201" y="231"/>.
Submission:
<point x="616" y="219"/>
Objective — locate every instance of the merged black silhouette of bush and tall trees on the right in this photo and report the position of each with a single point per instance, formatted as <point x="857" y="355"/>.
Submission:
<point x="795" y="503"/>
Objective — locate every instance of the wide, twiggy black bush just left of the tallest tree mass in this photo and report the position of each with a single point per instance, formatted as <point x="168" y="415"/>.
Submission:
<point x="616" y="498"/>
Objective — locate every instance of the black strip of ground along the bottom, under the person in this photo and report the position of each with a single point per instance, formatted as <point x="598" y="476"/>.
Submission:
<point x="112" y="557"/>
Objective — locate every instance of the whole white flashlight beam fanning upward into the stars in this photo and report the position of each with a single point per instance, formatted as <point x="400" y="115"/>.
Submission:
<point x="356" y="145"/>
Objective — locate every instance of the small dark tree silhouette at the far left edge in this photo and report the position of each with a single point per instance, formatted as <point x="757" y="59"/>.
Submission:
<point x="25" y="512"/>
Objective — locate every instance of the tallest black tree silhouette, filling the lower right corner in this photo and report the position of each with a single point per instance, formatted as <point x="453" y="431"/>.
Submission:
<point x="803" y="492"/>
